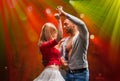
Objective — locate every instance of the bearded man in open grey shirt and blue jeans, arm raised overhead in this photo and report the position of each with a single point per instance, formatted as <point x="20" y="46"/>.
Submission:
<point x="74" y="48"/>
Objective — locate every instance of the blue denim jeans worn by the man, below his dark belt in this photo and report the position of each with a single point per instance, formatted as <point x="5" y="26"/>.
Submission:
<point x="82" y="76"/>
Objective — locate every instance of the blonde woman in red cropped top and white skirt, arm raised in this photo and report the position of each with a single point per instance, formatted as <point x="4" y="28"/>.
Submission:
<point x="49" y="39"/>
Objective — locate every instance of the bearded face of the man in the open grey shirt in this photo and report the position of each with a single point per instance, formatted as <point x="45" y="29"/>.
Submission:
<point x="68" y="26"/>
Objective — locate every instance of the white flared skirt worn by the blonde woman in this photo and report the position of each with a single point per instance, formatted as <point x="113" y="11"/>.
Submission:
<point x="50" y="74"/>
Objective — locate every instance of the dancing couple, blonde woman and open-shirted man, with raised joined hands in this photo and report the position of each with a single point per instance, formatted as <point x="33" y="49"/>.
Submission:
<point x="68" y="53"/>
